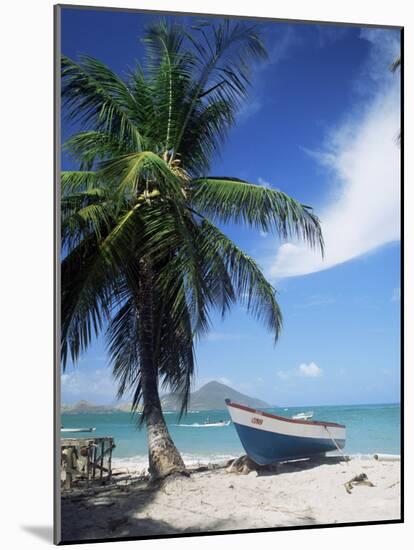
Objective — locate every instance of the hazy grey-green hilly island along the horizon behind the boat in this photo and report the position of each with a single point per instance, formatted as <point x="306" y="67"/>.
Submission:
<point x="211" y="396"/>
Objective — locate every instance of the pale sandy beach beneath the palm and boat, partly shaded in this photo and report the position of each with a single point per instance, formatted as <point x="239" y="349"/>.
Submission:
<point x="298" y="493"/>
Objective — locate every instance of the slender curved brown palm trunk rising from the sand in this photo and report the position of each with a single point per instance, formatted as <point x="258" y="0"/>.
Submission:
<point x="164" y="458"/>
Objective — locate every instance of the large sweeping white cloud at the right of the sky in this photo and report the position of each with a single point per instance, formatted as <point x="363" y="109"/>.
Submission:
<point x="363" y="160"/>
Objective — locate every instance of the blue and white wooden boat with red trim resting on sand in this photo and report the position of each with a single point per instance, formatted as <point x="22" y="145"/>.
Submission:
<point x="268" y="438"/>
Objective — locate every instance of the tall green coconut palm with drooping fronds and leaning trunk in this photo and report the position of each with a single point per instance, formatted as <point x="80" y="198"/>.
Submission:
<point x="142" y="257"/>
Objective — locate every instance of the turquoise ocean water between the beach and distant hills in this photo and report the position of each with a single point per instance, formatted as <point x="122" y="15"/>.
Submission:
<point x="370" y="429"/>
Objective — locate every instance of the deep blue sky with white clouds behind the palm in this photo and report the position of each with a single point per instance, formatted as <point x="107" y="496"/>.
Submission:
<point x="320" y="124"/>
